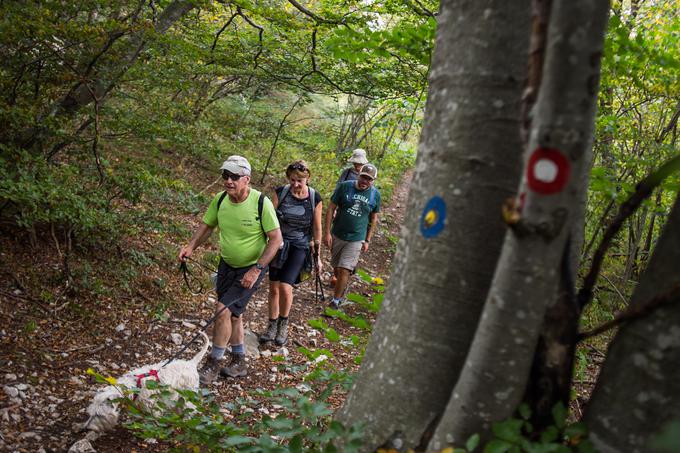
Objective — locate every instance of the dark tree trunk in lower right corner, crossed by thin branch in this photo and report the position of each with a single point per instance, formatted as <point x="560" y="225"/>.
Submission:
<point x="638" y="389"/>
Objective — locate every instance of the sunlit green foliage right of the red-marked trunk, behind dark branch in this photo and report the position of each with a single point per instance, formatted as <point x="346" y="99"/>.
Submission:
<point x="636" y="116"/>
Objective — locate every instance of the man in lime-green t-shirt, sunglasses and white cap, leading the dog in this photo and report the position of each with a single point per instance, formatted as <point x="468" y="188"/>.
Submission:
<point x="247" y="245"/>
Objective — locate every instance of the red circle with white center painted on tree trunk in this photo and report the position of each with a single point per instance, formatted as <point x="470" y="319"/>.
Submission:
<point x="548" y="171"/>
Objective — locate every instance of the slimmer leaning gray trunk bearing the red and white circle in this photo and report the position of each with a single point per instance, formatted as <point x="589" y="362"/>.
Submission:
<point x="494" y="377"/>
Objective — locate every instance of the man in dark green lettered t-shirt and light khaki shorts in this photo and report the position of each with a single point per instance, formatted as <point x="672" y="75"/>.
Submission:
<point x="353" y="212"/>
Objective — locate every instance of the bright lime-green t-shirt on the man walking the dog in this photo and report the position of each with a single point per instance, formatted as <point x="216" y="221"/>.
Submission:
<point x="241" y="238"/>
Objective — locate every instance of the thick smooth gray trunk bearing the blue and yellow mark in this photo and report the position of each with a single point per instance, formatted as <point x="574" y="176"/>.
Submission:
<point x="470" y="156"/>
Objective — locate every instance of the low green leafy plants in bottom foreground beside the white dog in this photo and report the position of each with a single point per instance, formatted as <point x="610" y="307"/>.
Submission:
<point x="192" y="420"/>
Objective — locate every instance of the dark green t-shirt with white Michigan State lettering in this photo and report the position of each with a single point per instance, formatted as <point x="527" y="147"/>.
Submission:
<point x="354" y="209"/>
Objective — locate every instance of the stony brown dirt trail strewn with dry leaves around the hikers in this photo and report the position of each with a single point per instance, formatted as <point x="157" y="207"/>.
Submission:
<point x="46" y="388"/>
